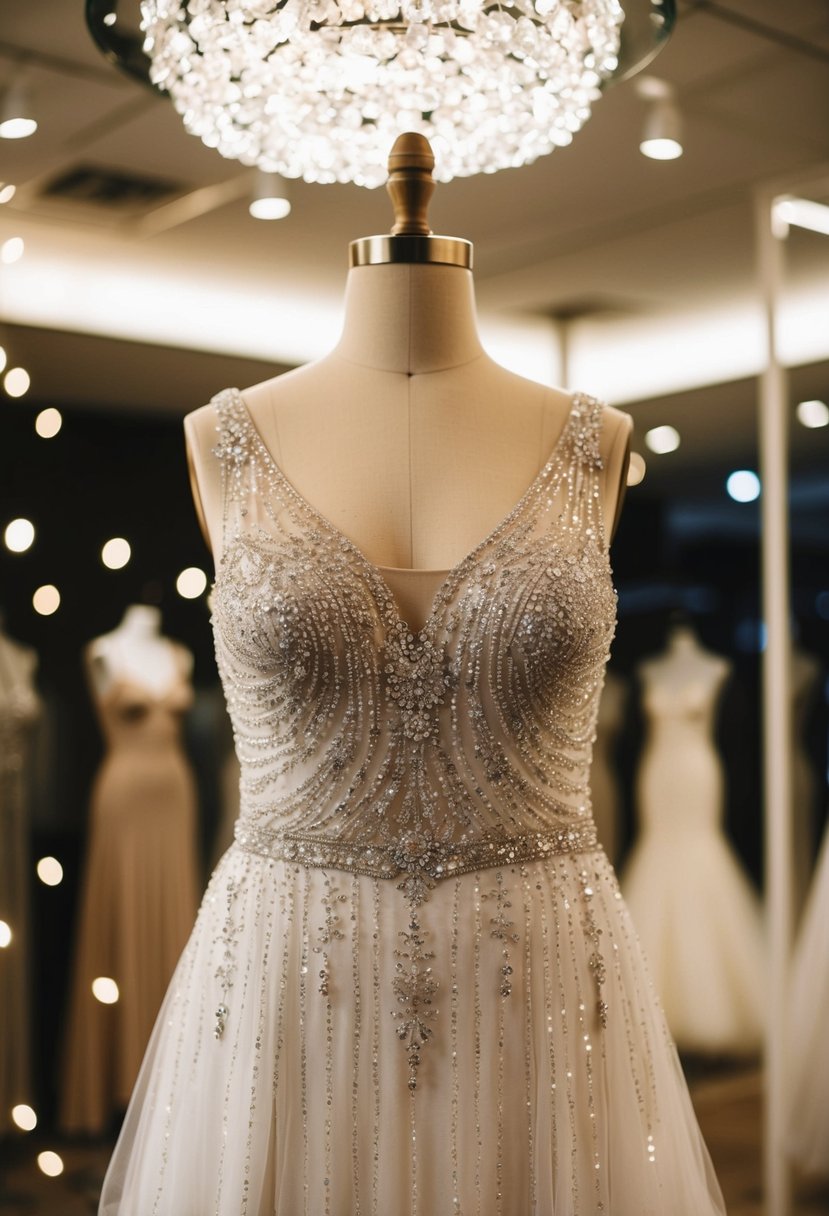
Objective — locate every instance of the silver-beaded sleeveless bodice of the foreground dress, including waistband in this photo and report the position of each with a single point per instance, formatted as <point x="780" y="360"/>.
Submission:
<point x="368" y="747"/>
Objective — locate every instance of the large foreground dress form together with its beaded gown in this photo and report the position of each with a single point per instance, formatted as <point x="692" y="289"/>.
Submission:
<point x="384" y="779"/>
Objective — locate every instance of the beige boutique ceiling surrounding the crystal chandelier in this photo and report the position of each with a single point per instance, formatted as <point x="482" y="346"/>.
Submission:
<point x="595" y="230"/>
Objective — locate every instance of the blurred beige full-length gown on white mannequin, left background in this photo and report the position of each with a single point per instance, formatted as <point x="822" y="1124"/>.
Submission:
<point x="140" y="887"/>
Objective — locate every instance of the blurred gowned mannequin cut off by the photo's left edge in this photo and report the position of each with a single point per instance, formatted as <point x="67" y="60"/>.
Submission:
<point x="20" y="708"/>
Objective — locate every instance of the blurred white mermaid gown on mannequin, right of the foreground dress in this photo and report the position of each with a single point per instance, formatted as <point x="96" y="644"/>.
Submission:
<point x="695" y="909"/>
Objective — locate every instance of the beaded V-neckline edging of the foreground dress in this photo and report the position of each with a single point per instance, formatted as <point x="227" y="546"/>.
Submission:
<point x="394" y="621"/>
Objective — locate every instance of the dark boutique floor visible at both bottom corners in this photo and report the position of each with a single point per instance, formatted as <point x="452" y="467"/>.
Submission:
<point x="729" y="1105"/>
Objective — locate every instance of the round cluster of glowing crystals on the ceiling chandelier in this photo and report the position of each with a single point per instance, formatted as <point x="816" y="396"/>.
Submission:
<point x="319" y="89"/>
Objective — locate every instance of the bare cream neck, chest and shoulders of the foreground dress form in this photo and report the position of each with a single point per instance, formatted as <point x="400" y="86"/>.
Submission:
<point x="408" y="437"/>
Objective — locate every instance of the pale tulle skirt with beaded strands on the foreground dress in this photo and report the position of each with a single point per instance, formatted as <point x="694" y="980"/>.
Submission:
<point x="525" y="1102"/>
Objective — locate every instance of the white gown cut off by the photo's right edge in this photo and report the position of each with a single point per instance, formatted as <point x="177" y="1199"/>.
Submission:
<point x="809" y="1078"/>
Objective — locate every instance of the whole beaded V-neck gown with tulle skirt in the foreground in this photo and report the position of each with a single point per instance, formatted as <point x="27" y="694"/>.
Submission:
<point x="413" y="987"/>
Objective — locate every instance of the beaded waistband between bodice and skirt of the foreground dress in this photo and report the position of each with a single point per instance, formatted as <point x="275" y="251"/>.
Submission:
<point x="416" y="854"/>
